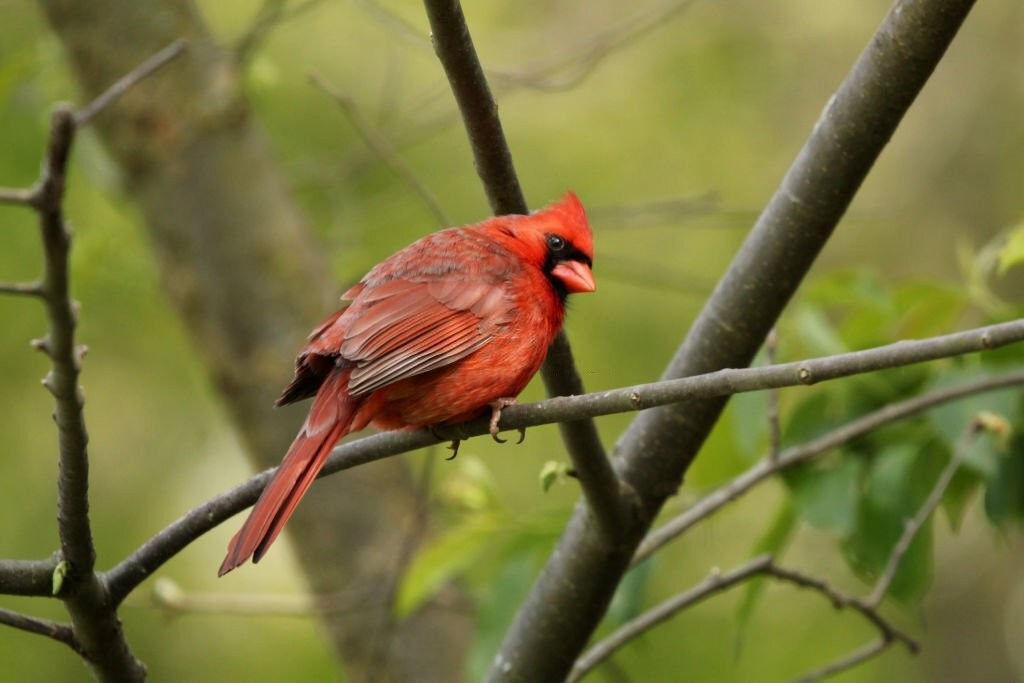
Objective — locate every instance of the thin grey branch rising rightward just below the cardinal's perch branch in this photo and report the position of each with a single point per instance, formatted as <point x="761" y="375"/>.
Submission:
<point x="835" y="439"/>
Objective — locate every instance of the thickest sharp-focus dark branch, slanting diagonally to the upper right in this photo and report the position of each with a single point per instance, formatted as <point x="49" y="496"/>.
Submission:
<point x="554" y="624"/>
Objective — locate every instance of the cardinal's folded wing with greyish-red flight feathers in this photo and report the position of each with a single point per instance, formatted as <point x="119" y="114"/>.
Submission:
<point x="404" y="327"/>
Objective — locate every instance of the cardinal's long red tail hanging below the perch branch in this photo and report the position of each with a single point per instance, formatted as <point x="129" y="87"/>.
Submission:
<point x="329" y="420"/>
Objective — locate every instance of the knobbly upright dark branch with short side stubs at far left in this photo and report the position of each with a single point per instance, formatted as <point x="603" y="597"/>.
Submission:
<point x="97" y="632"/>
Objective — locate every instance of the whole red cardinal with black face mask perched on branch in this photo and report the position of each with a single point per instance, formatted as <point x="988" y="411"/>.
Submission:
<point x="453" y="324"/>
